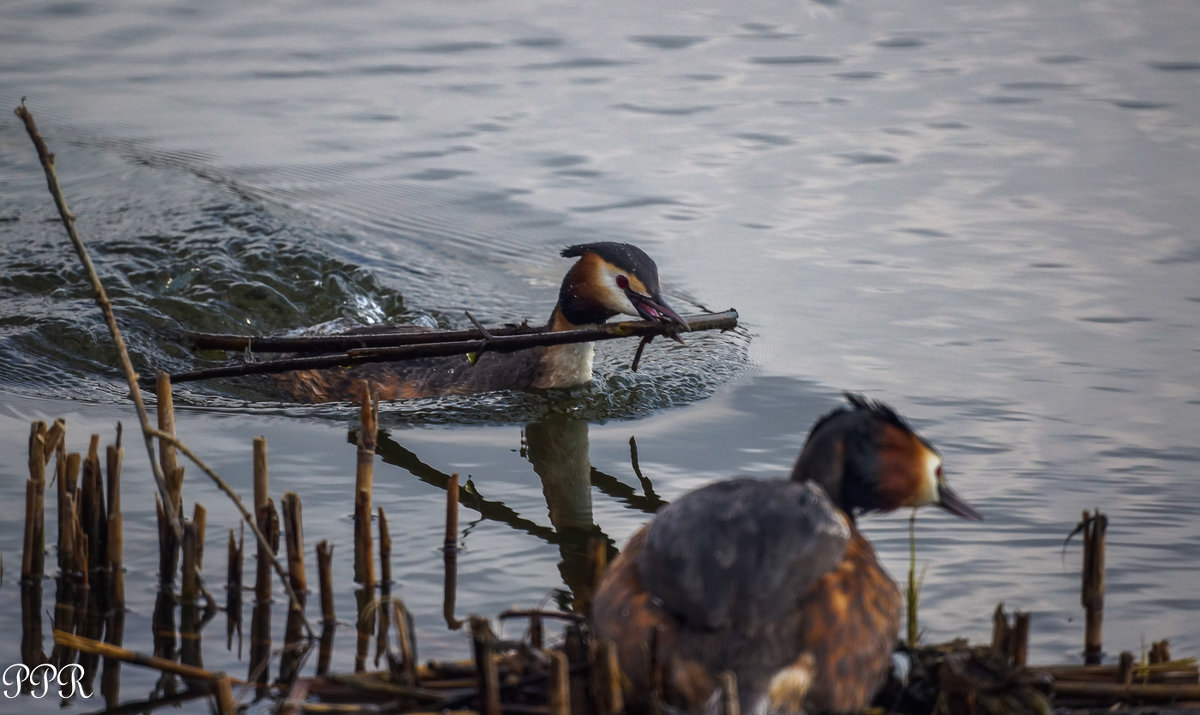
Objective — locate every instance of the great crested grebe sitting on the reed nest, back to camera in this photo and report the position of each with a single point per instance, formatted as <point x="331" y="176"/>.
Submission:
<point x="771" y="580"/>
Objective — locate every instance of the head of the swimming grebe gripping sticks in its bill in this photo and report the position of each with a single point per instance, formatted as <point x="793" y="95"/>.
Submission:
<point x="613" y="279"/>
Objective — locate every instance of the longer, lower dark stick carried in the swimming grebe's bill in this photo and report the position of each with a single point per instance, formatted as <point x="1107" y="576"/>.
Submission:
<point x="497" y="344"/>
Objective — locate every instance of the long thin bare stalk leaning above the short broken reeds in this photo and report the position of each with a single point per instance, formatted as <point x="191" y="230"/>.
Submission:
<point x="106" y="308"/>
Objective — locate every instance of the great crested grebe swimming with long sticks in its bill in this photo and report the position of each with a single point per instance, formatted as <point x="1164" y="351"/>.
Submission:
<point x="608" y="279"/>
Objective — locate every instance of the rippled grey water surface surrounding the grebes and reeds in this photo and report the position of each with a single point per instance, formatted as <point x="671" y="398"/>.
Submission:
<point x="983" y="215"/>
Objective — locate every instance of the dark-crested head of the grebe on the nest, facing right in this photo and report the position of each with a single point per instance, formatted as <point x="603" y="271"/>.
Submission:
<point x="868" y="459"/>
